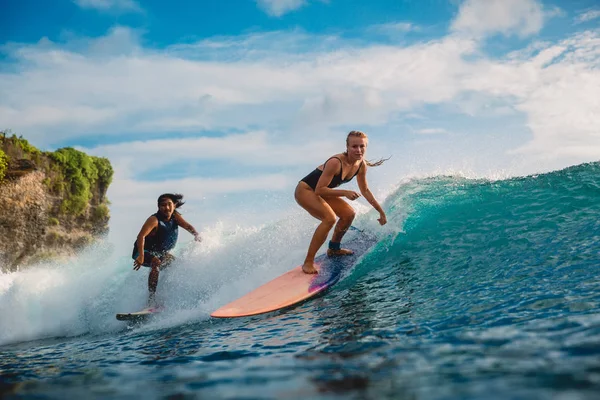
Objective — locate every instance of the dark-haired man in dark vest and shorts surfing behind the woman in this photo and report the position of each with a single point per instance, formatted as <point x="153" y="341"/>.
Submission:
<point x="157" y="236"/>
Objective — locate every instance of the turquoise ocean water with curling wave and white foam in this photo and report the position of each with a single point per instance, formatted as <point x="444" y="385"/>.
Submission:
<point x="475" y="289"/>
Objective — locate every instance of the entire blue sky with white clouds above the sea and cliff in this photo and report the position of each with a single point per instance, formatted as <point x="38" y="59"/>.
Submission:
<point x="232" y="102"/>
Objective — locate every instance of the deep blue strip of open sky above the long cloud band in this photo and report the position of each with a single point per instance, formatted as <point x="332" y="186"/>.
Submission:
<point x="166" y="23"/>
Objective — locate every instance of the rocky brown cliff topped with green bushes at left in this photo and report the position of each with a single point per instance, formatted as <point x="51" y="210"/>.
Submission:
<point x="51" y="203"/>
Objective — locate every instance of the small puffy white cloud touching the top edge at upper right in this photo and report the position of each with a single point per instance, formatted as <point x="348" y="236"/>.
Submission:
<point x="480" y="18"/>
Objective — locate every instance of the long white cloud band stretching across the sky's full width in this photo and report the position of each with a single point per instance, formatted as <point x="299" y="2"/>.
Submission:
<point x="110" y="86"/>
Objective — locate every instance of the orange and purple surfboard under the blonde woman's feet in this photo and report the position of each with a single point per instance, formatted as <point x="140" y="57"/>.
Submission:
<point x="294" y="286"/>
